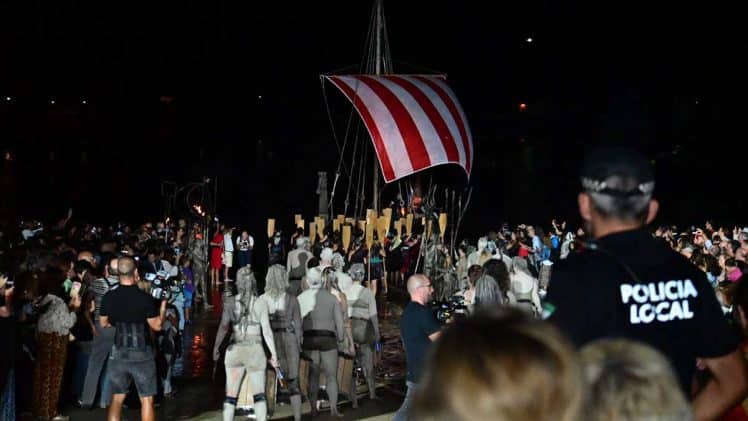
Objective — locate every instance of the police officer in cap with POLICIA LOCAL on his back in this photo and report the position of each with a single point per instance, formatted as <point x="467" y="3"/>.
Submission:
<point x="627" y="284"/>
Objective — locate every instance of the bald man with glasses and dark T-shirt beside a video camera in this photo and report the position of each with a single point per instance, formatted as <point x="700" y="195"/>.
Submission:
<point x="418" y="328"/>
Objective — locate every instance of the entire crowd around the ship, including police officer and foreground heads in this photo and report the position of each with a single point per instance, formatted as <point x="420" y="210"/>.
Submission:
<point x="615" y="320"/>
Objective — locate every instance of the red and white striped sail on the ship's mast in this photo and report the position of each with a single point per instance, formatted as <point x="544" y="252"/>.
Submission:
<point x="414" y="121"/>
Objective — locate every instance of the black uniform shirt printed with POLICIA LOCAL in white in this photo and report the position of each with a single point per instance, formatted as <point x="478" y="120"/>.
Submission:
<point x="628" y="284"/>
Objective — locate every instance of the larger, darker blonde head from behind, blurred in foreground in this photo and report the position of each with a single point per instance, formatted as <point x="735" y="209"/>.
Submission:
<point x="500" y="365"/>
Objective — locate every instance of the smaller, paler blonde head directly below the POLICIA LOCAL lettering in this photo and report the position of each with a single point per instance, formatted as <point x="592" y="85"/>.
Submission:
<point x="628" y="380"/>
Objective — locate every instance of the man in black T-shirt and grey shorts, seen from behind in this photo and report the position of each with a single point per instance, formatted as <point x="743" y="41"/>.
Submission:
<point x="133" y="313"/>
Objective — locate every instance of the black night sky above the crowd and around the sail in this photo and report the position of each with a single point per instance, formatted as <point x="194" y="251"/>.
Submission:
<point x="665" y="79"/>
